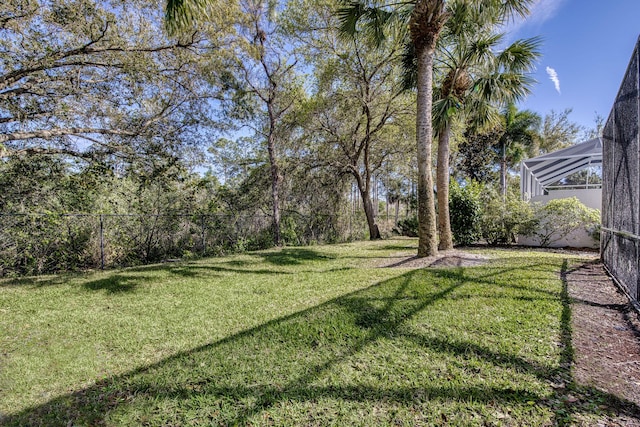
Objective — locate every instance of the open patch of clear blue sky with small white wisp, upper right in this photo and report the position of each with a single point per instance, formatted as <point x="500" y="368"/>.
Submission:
<point x="587" y="45"/>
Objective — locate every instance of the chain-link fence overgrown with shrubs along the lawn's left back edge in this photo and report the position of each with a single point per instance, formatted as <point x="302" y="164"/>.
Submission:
<point x="44" y="243"/>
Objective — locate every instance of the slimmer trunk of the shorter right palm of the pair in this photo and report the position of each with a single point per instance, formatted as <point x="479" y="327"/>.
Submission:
<point x="442" y="180"/>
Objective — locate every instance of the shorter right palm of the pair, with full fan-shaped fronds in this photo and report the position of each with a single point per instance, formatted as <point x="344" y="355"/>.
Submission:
<point x="475" y="78"/>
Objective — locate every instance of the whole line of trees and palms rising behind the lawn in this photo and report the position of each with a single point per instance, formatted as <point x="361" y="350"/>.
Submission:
<point x="271" y="108"/>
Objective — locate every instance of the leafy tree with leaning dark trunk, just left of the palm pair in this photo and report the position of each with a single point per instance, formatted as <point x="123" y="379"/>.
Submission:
<point x="359" y="106"/>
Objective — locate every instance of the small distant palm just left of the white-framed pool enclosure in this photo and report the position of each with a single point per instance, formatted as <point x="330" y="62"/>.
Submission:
<point x="518" y="136"/>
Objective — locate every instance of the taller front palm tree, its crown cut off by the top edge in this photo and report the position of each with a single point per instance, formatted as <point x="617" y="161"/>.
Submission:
<point x="424" y="20"/>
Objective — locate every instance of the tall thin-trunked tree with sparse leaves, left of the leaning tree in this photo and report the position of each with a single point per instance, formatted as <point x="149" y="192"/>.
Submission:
<point x="260" y="73"/>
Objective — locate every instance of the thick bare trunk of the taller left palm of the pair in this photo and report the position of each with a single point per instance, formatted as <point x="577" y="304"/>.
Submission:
<point x="427" y="241"/>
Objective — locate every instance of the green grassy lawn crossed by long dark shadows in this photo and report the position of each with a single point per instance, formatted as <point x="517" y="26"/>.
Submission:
<point x="299" y="336"/>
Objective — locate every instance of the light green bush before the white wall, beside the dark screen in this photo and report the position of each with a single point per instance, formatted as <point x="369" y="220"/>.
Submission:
<point x="559" y="218"/>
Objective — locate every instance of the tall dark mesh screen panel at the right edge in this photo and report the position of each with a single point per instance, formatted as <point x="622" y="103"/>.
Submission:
<point x="620" y="242"/>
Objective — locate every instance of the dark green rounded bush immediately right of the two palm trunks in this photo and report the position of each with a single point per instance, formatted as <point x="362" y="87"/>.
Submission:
<point x="465" y="209"/>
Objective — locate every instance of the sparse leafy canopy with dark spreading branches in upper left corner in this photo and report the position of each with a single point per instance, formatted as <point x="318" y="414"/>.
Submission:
<point x="98" y="80"/>
